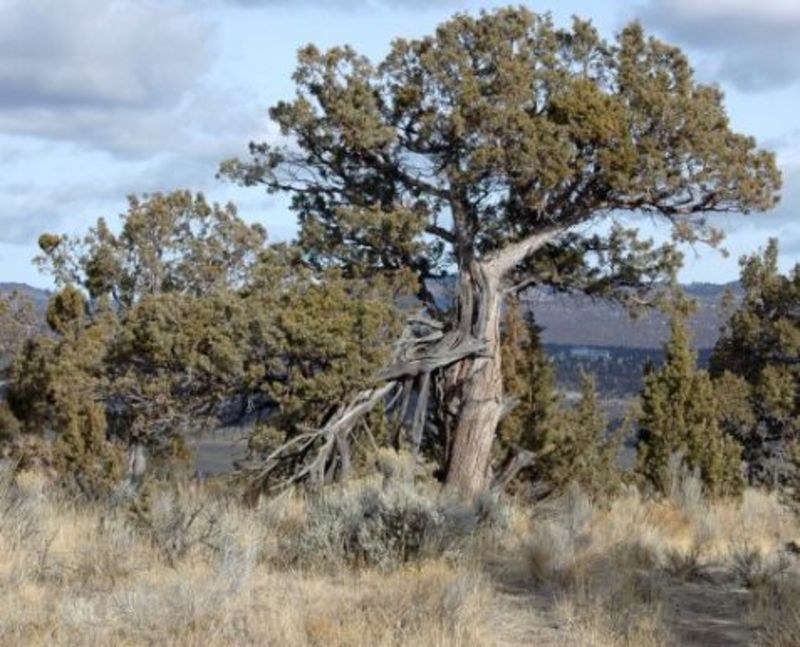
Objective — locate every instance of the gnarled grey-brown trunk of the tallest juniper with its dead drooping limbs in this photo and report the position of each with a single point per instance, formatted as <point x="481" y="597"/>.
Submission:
<point x="458" y="369"/>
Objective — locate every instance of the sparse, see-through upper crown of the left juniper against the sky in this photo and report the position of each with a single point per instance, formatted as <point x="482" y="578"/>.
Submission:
<point x="175" y="242"/>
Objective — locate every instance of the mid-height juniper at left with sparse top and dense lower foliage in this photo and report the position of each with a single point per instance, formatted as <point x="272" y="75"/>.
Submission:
<point x="155" y="303"/>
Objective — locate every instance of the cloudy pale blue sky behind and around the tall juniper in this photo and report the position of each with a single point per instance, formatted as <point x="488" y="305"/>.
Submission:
<point x="100" y="99"/>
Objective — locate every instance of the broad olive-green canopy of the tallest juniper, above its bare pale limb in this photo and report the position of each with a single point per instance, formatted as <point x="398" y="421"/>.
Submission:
<point x="493" y="130"/>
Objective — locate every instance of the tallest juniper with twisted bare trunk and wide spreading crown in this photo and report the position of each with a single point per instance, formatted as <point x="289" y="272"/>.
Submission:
<point x="480" y="149"/>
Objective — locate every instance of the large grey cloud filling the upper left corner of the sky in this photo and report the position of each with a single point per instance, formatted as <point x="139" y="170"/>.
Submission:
<point x="99" y="72"/>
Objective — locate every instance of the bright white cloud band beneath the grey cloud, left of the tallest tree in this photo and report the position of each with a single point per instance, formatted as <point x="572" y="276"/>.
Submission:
<point x="63" y="186"/>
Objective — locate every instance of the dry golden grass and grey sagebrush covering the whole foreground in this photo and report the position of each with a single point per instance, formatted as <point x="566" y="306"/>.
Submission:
<point x="198" y="569"/>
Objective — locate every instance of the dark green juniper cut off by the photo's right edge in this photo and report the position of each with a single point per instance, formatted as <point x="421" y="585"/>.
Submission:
<point x="758" y="355"/>
